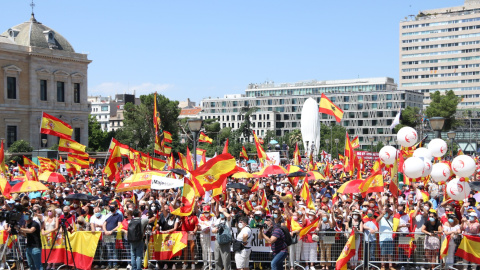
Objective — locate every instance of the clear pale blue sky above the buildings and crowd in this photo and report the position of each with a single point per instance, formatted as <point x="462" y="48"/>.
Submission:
<point x="198" y="49"/>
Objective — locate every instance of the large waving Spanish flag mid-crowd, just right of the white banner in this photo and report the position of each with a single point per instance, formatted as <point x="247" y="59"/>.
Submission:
<point x="214" y="172"/>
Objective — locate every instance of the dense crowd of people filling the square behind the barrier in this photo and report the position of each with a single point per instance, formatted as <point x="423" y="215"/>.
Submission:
<point x="427" y="221"/>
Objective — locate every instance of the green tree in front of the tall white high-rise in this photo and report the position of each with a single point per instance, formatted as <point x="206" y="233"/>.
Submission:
<point x="444" y="106"/>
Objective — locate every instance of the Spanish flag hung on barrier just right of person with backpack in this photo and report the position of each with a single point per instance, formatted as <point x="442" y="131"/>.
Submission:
<point x="167" y="246"/>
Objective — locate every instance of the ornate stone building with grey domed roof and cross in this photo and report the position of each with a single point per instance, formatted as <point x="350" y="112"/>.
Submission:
<point x="41" y="72"/>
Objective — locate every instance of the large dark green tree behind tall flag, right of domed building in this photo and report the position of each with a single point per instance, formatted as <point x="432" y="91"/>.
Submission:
<point x="138" y="123"/>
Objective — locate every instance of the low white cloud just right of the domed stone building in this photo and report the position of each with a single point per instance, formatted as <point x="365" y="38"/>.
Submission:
<point x="112" y="88"/>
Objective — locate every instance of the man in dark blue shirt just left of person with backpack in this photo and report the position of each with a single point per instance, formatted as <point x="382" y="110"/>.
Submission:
<point x="110" y="227"/>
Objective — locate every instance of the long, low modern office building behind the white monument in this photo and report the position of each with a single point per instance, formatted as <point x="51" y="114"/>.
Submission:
<point x="370" y="105"/>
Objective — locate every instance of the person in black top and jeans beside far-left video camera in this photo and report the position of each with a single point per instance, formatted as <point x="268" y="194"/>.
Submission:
<point x="34" y="244"/>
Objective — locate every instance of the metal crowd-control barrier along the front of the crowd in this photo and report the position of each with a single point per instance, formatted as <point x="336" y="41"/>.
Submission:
<point x="408" y="250"/>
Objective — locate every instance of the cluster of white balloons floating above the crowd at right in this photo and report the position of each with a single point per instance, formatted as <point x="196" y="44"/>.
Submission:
<point x="420" y="163"/>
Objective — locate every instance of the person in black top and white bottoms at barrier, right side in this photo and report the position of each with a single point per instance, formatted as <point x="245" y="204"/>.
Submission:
<point x="432" y="229"/>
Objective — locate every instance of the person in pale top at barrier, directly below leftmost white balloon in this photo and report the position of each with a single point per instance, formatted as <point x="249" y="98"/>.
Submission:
<point x="385" y="222"/>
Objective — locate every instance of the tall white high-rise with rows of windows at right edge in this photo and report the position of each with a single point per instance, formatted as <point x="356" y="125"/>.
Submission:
<point x="440" y="50"/>
